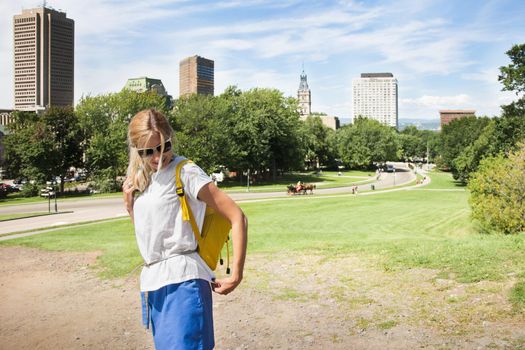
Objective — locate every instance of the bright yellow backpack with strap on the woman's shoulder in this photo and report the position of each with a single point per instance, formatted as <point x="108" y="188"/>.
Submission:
<point x="215" y="229"/>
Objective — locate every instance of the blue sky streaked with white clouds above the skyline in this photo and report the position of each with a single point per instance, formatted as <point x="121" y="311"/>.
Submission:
<point x="445" y="54"/>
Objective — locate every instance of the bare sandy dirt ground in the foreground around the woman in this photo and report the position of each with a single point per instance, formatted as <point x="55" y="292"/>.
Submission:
<point x="55" y="301"/>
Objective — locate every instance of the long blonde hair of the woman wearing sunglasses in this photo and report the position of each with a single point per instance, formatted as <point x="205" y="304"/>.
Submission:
<point x="141" y="128"/>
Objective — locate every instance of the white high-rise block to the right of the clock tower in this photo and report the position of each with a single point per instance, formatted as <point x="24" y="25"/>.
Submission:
<point x="375" y="97"/>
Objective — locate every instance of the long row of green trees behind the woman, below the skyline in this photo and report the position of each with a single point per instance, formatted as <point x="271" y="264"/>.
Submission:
<point x="257" y="130"/>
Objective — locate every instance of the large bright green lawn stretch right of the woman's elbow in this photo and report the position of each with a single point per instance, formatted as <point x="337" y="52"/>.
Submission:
<point x="399" y="230"/>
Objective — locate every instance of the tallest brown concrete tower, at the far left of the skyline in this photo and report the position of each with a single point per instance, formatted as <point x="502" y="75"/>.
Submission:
<point x="44" y="41"/>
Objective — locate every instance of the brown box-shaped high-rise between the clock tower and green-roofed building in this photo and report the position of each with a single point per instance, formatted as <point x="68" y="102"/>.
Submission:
<point x="196" y="76"/>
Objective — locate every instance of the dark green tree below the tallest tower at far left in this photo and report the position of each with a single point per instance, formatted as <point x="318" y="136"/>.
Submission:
<point x="43" y="147"/>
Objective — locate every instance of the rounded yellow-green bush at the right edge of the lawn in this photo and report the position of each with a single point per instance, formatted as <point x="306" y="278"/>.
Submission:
<point x="497" y="192"/>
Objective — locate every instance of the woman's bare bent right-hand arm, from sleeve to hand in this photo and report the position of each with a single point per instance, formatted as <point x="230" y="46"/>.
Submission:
<point x="223" y="204"/>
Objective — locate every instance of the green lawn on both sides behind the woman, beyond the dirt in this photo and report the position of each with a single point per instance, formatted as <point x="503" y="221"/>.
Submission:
<point x="425" y="228"/>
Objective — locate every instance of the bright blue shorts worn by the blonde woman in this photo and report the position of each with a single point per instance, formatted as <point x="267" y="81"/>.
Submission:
<point x="181" y="315"/>
